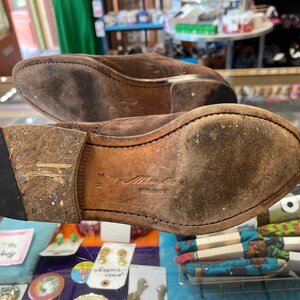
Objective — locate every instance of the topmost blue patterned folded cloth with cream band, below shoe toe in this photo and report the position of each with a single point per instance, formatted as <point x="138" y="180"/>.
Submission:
<point x="216" y="240"/>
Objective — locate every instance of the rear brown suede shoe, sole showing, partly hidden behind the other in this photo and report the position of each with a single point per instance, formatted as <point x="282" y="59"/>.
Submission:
<point x="96" y="88"/>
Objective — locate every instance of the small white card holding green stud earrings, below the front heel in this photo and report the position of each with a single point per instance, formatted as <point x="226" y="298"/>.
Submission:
<point x="66" y="248"/>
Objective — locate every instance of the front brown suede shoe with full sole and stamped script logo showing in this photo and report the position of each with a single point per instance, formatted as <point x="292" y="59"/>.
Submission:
<point x="188" y="173"/>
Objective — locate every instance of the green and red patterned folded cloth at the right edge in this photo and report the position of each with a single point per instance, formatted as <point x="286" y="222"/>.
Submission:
<point x="290" y="228"/>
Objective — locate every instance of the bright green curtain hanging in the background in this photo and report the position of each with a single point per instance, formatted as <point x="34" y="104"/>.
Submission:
<point x="76" y="27"/>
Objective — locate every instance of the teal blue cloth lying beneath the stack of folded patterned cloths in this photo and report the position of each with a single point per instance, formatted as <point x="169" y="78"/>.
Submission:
<point x="275" y="290"/>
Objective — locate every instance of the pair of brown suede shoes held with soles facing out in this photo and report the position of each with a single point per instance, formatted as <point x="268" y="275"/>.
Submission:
<point x="137" y="142"/>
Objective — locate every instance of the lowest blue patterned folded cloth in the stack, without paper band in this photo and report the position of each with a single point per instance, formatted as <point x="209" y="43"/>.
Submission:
<point x="239" y="267"/>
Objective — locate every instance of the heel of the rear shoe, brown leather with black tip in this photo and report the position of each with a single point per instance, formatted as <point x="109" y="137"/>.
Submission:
<point x="190" y="94"/>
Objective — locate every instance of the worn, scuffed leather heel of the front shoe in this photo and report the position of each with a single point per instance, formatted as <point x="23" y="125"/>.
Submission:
<point x="44" y="162"/>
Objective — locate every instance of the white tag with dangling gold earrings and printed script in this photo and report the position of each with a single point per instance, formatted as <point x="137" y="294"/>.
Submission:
<point x="111" y="268"/>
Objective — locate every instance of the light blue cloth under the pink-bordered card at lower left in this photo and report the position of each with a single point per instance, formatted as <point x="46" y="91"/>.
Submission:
<point x="43" y="233"/>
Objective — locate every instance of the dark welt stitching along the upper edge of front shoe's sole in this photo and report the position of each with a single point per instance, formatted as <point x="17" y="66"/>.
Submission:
<point x="192" y="121"/>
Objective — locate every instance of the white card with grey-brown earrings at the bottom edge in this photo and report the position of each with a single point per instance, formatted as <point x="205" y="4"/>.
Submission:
<point x="147" y="282"/>
